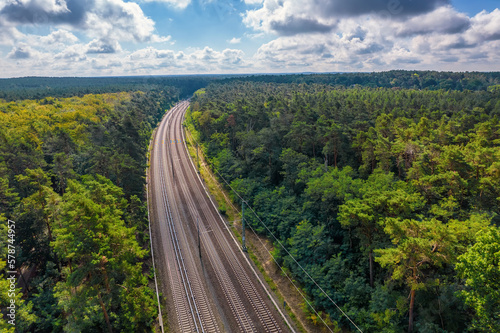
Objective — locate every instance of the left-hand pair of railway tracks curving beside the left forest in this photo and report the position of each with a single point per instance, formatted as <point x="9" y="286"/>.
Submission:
<point x="193" y="311"/>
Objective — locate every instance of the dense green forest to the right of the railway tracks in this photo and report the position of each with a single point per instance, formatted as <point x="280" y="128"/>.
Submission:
<point x="386" y="190"/>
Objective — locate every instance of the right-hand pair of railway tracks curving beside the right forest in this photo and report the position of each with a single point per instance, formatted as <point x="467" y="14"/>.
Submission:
<point x="251" y="308"/>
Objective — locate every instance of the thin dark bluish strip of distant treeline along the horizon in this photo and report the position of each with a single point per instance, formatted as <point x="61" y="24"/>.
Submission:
<point x="40" y="87"/>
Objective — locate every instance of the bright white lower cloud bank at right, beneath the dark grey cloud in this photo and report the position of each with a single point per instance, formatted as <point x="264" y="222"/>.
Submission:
<point x="442" y="39"/>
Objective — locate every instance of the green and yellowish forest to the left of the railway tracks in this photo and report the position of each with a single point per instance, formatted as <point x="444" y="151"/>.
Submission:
<point x="72" y="177"/>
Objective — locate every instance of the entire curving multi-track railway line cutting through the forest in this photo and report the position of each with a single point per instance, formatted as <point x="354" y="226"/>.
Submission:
<point x="209" y="284"/>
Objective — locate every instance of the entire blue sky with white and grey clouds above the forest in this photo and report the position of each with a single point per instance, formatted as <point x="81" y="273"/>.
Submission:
<point x="164" y="37"/>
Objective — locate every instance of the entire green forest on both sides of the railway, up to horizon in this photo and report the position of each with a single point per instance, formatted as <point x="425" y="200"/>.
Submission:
<point x="384" y="186"/>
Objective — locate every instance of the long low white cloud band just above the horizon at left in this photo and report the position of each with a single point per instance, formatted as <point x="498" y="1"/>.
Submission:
<point x="99" y="59"/>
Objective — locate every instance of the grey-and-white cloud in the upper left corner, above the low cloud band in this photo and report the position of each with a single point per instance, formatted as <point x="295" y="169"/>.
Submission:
<point x="108" y="21"/>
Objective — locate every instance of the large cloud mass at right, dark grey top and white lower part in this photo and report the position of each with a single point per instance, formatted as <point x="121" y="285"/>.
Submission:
<point x="331" y="35"/>
